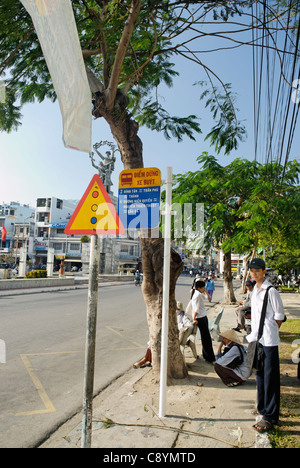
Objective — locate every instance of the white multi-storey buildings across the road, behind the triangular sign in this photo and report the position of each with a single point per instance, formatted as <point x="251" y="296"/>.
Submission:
<point x="42" y="231"/>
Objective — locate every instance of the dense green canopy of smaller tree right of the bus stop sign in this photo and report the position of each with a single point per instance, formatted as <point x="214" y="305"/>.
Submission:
<point x="247" y="204"/>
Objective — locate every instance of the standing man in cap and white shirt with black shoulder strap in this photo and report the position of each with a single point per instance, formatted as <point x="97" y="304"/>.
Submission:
<point x="267" y="380"/>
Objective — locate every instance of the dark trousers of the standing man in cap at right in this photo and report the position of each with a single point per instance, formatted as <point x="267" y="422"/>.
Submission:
<point x="268" y="385"/>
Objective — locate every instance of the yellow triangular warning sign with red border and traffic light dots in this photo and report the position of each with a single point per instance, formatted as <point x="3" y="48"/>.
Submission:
<point x="95" y="213"/>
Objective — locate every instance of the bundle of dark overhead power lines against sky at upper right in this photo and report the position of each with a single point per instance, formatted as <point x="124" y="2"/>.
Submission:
<point x="275" y="69"/>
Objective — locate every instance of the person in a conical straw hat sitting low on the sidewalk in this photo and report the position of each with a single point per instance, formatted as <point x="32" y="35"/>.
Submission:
<point x="231" y="363"/>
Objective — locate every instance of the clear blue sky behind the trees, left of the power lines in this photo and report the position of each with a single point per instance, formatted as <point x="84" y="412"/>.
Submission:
<point x="35" y="163"/>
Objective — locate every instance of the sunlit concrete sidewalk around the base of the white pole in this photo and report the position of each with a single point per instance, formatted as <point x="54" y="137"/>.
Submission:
<point x="201" y="411"/>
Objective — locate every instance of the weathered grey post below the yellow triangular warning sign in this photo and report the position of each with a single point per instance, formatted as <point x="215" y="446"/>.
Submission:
<point x="89" y="369"/>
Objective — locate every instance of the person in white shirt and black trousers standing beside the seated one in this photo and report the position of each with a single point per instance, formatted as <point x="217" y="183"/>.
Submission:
<point x="197" y="309"/>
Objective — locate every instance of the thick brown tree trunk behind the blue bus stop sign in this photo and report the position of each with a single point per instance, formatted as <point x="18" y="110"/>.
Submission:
<point x="125" y="130"/>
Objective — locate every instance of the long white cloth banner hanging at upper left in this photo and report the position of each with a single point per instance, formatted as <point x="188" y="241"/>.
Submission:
<point x="57" y="32"/>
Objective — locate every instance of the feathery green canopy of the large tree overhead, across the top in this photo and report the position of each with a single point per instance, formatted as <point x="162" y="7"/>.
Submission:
<point x="129" y="46"/>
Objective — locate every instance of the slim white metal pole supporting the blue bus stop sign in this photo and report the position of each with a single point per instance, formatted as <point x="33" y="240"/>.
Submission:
<point x="166" y="294"/>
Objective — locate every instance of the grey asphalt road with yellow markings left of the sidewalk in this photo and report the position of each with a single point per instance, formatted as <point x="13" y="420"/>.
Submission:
<point x="41" y="383"/>
